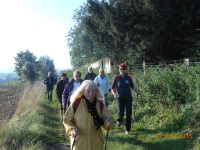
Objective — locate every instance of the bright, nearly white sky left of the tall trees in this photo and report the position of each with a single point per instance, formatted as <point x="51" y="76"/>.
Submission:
<point x="40" y="26"/>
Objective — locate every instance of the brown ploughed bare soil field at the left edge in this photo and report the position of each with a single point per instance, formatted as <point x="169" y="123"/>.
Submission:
<point x="9" y="98"/>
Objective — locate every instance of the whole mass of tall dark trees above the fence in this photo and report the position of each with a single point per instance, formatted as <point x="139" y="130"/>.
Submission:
<point x="136" y="30"/>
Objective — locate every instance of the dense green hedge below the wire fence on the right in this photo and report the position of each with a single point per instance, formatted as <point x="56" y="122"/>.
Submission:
<point x="176" y="87"/>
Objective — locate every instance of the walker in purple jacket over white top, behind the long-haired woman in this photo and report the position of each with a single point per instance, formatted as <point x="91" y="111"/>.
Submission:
<point x="71" y="87"/>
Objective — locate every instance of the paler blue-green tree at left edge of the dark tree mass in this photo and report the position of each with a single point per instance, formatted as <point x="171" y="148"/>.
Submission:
<point x="83" y="50"/>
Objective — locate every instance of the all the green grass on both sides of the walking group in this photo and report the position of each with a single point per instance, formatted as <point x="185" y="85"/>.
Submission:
<point x="156" y="127"/>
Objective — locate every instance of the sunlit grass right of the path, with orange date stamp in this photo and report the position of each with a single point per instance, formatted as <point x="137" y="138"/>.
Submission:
<point x="154" y="128"/>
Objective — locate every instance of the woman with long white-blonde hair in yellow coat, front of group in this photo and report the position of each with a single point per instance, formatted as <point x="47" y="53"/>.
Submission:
<point x="85" y="117"/>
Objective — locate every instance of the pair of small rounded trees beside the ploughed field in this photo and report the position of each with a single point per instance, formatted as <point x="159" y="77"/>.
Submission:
<point x="29" y="69"/>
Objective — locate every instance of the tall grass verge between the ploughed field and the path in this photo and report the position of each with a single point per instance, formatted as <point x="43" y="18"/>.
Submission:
<point x="32" y="126"/>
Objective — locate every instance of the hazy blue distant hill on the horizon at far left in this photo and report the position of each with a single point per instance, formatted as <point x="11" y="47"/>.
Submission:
<point x="8" y="77"/>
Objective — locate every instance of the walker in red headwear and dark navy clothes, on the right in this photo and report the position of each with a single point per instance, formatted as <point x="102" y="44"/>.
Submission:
<point x="121" y="89"/>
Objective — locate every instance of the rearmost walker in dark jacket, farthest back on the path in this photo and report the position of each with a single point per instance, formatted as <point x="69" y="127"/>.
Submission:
<point x="49" y="81"/>
